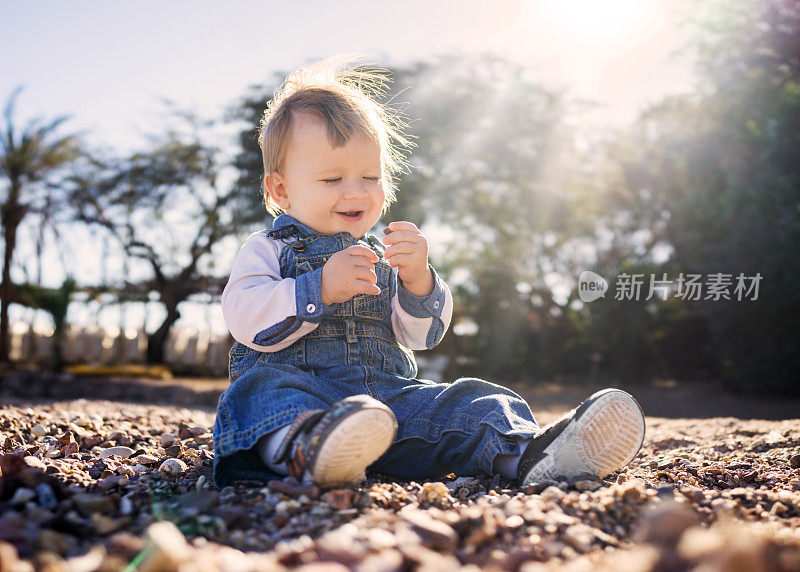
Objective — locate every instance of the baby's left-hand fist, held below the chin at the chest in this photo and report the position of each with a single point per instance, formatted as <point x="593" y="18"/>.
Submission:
<point x="349" y="272"/>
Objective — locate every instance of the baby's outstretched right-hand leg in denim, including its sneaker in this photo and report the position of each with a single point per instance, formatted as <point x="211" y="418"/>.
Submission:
<point x="473" y="426"/>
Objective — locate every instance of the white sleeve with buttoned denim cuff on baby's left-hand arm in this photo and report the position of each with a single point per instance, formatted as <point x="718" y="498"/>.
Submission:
<point x="264" y="311"/>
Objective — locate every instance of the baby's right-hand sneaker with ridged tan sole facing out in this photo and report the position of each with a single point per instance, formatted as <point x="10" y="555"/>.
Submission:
<point x="601" y="435"/>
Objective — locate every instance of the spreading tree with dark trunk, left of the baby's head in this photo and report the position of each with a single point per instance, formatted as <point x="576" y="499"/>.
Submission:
<point x="167" y="207"/>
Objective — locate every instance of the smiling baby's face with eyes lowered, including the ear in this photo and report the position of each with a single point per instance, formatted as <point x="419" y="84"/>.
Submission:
<point x="329" y="189"/>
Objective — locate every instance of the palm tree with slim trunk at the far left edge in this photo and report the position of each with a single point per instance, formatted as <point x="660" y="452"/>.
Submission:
<point x="28" y="156"/>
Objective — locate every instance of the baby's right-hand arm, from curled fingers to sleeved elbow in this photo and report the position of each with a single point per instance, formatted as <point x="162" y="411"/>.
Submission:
<point x="423" y="305"/>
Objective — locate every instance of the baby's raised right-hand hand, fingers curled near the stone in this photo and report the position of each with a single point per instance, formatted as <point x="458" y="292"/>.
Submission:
<point x="408" y="250"/>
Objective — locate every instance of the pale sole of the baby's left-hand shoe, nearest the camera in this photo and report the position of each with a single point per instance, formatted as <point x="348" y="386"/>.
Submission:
<point x="353" y="445"/>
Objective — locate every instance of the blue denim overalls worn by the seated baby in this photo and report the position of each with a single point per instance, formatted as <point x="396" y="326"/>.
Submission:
<point x="442" y="428"/>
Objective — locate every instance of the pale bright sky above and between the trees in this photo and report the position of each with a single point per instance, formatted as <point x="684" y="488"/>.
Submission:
<point x="106" y="64"/>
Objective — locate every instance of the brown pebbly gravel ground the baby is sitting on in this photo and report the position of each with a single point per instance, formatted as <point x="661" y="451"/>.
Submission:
<point x="105" y="485"/>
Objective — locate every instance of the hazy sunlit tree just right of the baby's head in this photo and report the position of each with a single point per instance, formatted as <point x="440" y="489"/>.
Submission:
<point x="495" y="171"/>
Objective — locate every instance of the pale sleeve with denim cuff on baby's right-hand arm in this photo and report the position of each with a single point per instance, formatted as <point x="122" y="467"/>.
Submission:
<point x="420" y="322"/>
